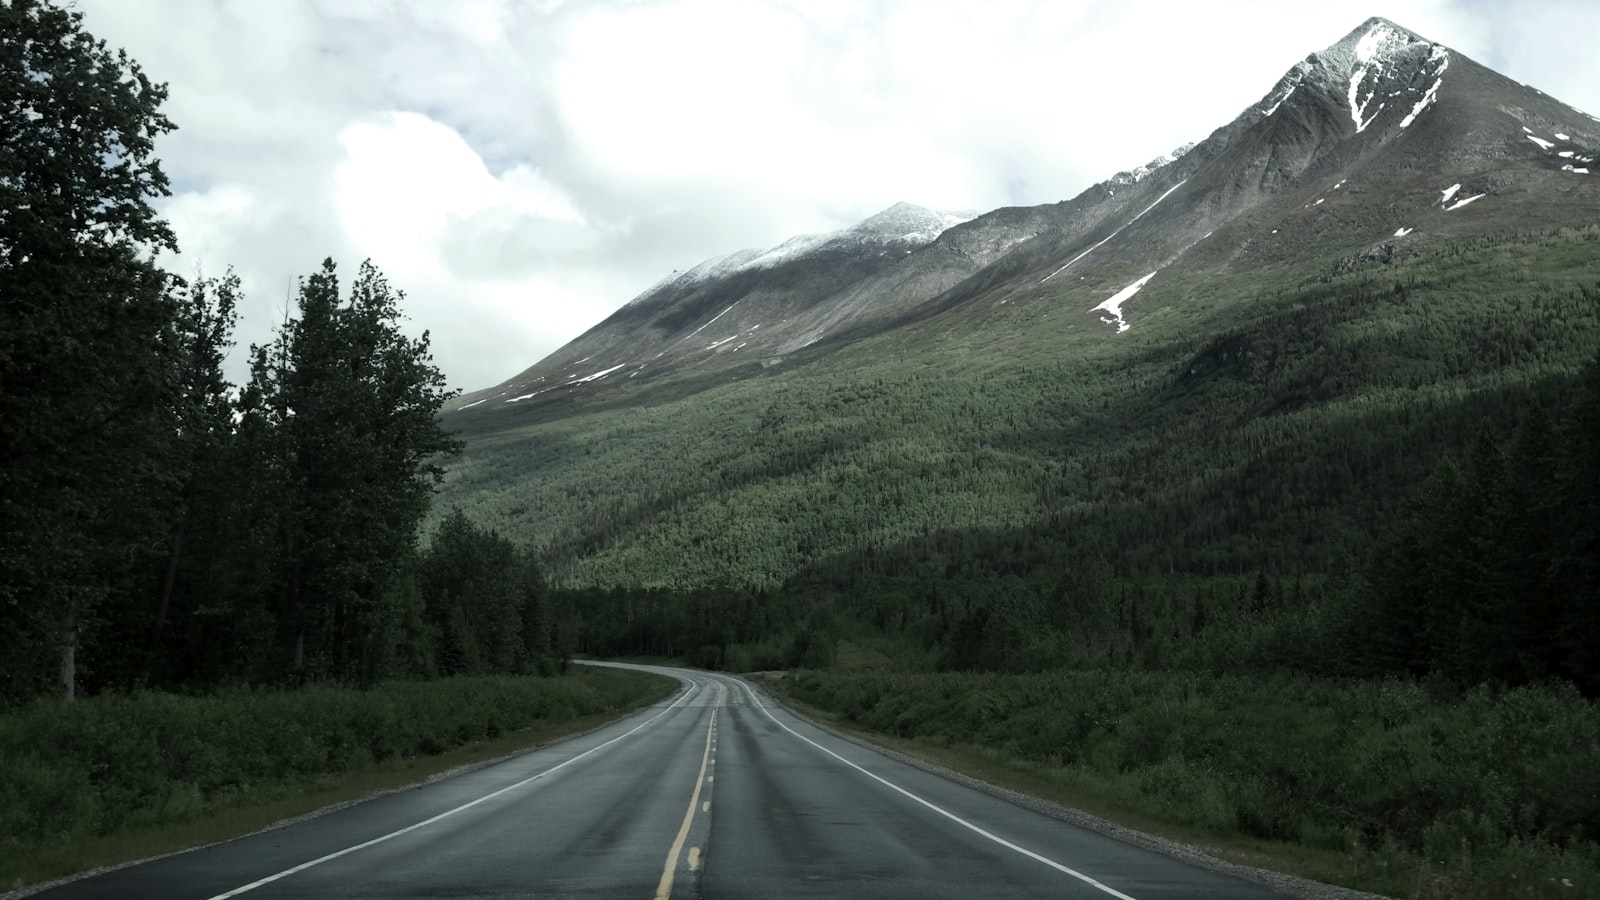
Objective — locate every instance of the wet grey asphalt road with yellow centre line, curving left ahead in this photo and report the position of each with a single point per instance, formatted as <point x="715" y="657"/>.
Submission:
<point x="714" y="794"/>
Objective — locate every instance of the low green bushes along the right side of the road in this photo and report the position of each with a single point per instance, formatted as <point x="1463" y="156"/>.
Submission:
<point x="1497" y="782"/>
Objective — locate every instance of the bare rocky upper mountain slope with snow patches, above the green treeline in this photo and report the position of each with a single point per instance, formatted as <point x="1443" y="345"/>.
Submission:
<point x="1377" y="143"/>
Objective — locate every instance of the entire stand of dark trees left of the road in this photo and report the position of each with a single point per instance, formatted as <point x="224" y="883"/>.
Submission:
<point x="161" y="528"/>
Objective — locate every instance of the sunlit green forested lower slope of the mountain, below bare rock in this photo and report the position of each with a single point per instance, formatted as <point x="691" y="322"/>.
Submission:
<point x="1265" y="422"/>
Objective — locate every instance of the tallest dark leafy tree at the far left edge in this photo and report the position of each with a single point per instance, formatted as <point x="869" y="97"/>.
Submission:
<point x="86" y="335"/>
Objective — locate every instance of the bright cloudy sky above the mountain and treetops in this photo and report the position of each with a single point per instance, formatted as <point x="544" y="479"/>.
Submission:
<point x="524" y="167"/>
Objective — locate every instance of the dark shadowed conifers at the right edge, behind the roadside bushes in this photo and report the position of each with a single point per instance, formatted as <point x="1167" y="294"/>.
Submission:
<point x="1486" y="576"/>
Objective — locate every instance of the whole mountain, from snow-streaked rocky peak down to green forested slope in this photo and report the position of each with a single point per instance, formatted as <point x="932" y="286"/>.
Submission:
<point x="1138" y="352"/>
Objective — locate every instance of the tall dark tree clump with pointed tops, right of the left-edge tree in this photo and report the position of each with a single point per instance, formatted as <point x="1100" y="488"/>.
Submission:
<point x="345" y="406"/>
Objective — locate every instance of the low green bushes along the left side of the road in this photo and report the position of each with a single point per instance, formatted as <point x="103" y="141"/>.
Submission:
<point x="118" y="761"/>
